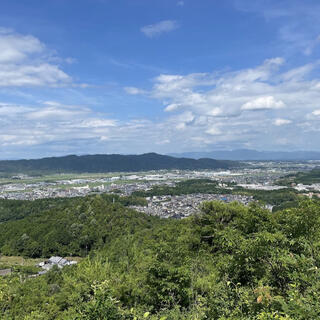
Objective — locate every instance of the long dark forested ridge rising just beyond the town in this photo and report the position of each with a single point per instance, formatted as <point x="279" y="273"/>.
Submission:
<point x="111" y="163"/>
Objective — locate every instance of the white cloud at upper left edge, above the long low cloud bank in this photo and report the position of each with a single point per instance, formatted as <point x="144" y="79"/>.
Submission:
<point x="24" y="62"/>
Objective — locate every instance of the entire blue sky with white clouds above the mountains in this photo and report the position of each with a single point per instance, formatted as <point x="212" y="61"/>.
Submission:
<point x="166" y="76"/>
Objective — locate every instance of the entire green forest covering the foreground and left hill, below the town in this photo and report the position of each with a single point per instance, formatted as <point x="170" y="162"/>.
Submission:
<point x="227" y="262"/>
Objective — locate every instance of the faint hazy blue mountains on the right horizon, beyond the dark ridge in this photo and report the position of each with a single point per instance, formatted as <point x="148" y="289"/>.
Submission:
<point x="246" y="154"/>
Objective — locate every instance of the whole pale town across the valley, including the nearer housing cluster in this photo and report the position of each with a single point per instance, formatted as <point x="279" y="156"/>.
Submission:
<point x="252" y="176"/>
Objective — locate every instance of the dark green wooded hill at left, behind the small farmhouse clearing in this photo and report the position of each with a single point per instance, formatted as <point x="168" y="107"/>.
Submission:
<point x="66" y="227"/>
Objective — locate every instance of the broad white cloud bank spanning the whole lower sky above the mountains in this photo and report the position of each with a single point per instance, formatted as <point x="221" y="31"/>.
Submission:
<point x="203" y="111"/>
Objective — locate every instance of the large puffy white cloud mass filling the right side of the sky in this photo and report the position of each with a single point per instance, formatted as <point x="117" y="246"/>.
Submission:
<point x="220" y="108"/>
